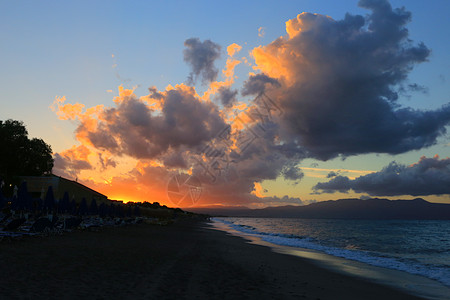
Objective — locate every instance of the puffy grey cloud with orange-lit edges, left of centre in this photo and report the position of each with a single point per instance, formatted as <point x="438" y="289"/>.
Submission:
<point x="134" y="129"/>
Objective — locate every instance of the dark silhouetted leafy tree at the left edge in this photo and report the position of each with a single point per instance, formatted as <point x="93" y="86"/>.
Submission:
<point x="21" y="156"/>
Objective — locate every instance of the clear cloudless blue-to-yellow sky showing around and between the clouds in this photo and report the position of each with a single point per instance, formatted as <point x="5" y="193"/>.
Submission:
<point x="84" y="50"/>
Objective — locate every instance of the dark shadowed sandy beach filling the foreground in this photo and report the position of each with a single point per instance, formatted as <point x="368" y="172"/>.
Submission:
<point x="185" y="260"/>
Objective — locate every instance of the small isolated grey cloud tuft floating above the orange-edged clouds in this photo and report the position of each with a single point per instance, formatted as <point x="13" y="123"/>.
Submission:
<point x="201" y="56"/>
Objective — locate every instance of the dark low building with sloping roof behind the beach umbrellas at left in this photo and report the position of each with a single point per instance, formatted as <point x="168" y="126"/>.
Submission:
<point x="37" y="185"/>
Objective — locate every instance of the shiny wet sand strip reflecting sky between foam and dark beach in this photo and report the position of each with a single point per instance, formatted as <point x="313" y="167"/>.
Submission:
<point x="401" y="280"/>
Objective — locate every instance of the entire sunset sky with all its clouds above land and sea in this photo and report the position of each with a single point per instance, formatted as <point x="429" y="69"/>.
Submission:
<point x="239" y="103"/>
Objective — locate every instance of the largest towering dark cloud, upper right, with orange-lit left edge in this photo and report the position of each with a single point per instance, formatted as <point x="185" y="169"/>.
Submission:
<point x="340" y="81"/>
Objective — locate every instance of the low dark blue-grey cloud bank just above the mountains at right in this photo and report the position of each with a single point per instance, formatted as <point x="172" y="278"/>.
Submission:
<point x="430" y="176"/>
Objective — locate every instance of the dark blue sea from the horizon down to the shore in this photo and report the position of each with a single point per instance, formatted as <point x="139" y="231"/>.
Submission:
<point x="419" y="247"/>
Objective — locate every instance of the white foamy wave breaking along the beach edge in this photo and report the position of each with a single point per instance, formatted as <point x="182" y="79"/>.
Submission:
<point x="441" y="274"/>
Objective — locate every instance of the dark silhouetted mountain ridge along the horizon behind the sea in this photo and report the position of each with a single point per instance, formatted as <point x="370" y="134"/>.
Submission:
<point x="417" y="209"/>
